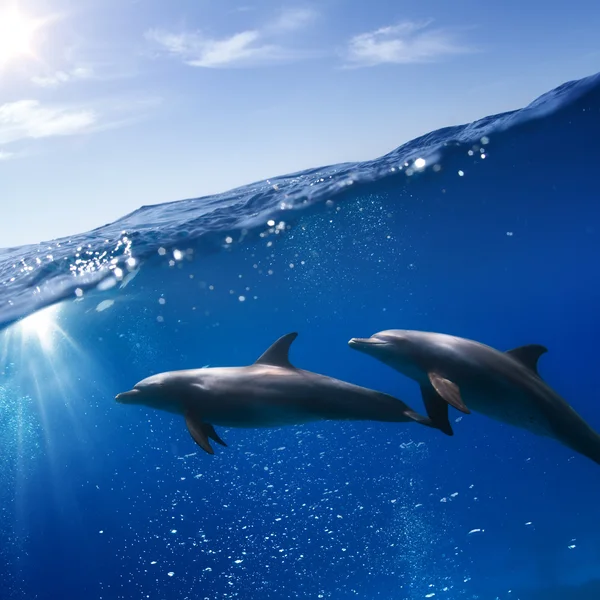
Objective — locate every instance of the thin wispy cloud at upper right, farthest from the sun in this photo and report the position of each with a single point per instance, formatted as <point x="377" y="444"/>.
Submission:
<point x="405" y="43"/>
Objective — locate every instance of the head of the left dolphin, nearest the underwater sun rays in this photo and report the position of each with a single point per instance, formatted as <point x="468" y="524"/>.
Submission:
<point x="163" y="391"/>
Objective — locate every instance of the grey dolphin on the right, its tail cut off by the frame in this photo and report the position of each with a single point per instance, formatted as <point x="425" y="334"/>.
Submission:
<point x="468" y="375"/>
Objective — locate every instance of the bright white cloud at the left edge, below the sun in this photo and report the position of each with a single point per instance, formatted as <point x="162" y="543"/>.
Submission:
<point x="29" y="119"/>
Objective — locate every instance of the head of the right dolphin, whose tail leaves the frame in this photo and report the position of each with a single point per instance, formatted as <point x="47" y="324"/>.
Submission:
<point x="403" y="350"/>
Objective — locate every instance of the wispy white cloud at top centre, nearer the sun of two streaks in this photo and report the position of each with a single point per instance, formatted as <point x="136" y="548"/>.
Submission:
<point x="250" y="48"/>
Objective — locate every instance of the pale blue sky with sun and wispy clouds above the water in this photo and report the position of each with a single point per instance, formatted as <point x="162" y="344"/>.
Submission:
<point x="106" y="105"/>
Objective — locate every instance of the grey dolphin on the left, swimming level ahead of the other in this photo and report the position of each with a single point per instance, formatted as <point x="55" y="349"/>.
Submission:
<point x="269" y="393"/>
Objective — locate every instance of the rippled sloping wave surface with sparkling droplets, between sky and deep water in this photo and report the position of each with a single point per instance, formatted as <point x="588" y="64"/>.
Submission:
<point x="35" y="276"/>
